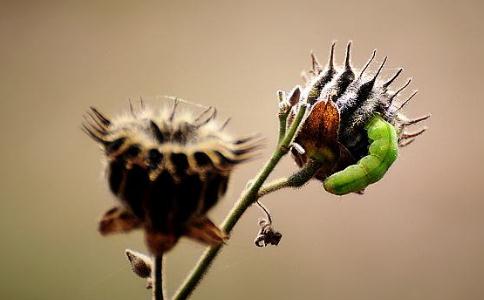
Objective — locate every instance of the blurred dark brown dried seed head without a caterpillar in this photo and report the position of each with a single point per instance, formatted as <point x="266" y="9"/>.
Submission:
<point x="168" y="170"/>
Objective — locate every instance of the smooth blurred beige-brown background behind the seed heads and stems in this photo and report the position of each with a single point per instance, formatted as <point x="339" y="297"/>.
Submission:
<point x="417" y="234"/>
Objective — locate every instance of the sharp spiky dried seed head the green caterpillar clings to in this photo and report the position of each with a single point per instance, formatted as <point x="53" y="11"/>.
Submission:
<point x="342" y="102"/>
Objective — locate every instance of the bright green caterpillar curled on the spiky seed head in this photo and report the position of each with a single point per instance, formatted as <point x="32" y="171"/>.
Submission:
<point x="383" y="152"/>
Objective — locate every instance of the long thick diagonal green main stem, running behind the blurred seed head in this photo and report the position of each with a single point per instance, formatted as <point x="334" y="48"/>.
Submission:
<point x="248" y="197"/>
